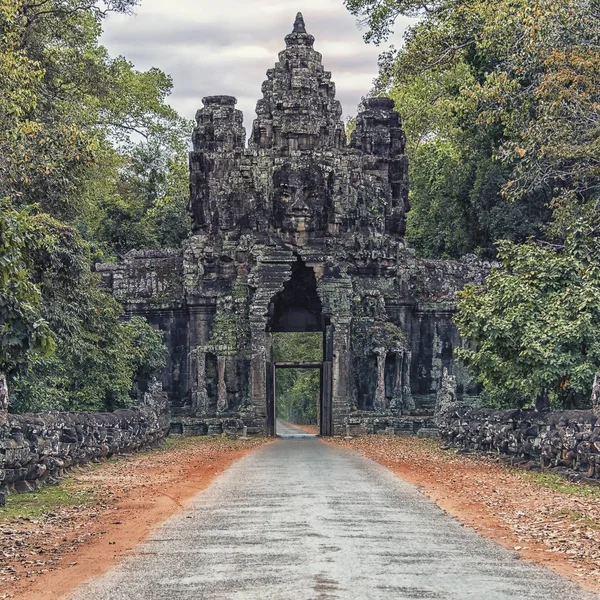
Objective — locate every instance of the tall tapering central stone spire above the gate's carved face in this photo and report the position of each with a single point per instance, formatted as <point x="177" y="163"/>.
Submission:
<point x="298" y="111"/>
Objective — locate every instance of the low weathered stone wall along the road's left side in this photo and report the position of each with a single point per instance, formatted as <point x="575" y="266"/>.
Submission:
<point x="38" y="449"/>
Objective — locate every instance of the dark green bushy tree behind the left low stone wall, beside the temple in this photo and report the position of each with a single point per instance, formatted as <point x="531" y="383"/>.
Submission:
<point x="98" y="359"/>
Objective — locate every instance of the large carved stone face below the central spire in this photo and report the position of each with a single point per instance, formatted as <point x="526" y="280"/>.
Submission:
<point x="301" y="198"/>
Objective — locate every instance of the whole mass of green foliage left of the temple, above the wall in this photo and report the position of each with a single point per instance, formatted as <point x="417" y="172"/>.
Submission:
<point x="92" y="164"/>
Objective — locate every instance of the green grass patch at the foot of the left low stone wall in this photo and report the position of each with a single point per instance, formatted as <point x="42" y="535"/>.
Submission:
<point x="46" y="500"/>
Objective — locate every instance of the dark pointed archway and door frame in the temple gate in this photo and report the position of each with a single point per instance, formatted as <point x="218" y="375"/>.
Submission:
<point x="298" y="309"/>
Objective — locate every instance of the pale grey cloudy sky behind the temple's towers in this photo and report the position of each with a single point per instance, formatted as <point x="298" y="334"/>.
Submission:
<point x="226" y="46"/>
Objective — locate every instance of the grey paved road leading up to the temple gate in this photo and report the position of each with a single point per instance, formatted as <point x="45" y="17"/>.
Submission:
<point x="302" y="520"/>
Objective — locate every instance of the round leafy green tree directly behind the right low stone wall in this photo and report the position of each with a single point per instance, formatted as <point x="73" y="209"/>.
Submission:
<point x="532" y="331"/>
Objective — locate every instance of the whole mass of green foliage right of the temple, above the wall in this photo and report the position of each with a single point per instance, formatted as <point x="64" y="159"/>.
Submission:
<point x="501" y="104"/>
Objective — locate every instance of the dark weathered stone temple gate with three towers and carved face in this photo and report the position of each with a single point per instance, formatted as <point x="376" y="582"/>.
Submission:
<point x="298" y="231"/>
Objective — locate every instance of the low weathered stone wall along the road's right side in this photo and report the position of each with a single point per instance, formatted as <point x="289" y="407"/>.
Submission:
<point x="569" y="439"/>
